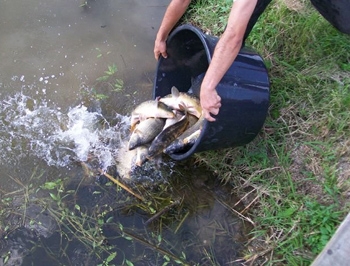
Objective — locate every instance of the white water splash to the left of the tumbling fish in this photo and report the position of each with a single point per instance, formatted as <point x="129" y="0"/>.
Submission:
<point x="29" y="127"/>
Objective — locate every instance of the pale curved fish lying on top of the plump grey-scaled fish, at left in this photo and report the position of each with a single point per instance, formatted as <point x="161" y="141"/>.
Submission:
<point x="150" y="108"/>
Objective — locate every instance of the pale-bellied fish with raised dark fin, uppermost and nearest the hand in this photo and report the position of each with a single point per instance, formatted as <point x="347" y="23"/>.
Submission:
<point x="176" y="98"/>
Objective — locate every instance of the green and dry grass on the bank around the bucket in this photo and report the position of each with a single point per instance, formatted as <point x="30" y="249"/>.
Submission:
<point x="290" y="176"/>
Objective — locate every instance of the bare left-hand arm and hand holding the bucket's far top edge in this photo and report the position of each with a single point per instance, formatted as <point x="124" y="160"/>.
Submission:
<point x="172" y="15"/>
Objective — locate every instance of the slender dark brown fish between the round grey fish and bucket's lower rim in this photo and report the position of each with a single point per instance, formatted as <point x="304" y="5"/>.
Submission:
<point x="168" y="135"/>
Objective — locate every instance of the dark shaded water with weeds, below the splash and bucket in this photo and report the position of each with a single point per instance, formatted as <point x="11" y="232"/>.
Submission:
<point x="92" y="221"/>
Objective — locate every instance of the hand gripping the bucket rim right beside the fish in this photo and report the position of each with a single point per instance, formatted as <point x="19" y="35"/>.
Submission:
<point x="210" y="102"/>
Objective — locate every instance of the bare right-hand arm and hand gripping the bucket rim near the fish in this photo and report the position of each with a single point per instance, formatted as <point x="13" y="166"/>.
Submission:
<point x="225" y="53"/>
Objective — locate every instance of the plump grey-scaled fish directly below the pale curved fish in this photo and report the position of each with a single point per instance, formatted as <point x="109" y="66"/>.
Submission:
<point x="145" y="132"/>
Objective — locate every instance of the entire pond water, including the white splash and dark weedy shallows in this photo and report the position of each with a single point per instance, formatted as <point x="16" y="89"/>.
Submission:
<point x="70" y="73"/>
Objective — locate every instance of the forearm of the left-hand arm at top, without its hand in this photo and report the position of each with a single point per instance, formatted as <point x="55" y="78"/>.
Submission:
<point x="172" y="15"/>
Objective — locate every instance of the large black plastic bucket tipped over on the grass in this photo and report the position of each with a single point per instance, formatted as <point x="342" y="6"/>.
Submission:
<point x="244" y="90"/>
